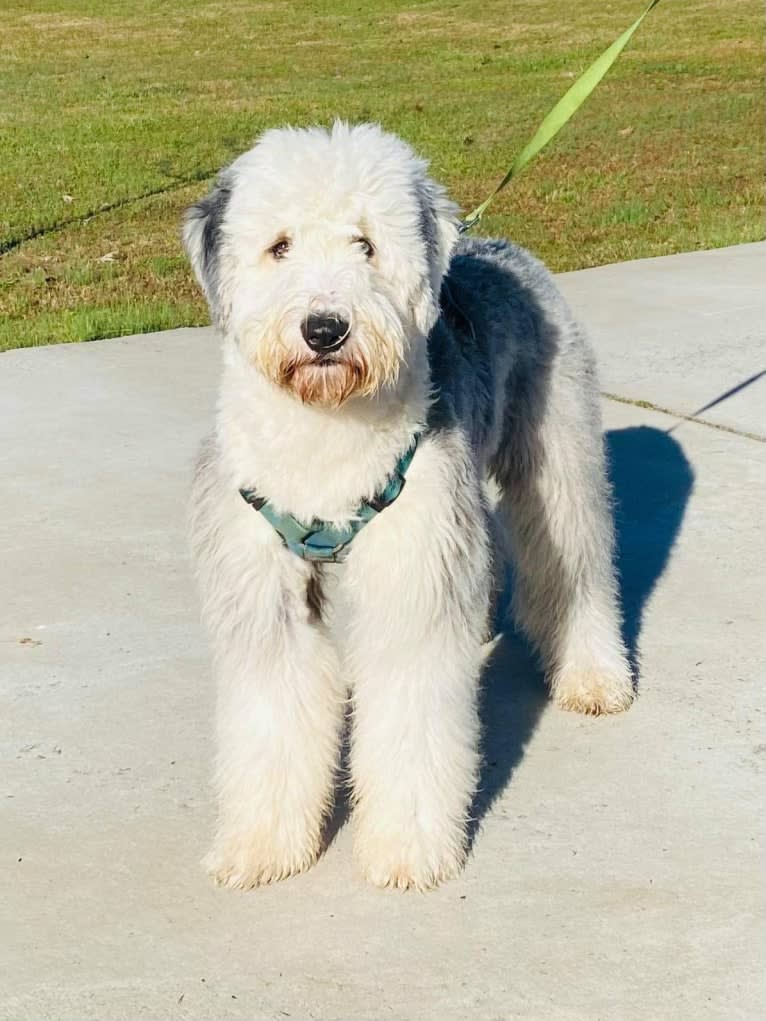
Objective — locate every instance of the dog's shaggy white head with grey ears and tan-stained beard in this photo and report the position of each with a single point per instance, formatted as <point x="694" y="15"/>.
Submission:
<point x="323" y="254"/>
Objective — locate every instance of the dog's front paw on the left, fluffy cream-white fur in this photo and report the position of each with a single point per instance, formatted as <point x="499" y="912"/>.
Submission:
<point x="245" y="864"/>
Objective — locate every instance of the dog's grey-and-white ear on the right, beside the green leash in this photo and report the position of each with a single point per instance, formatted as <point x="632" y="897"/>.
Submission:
<point x="439" y="224"/>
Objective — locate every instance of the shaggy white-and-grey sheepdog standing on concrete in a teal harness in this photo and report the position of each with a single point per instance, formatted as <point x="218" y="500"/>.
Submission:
<point x="379" y="374"/>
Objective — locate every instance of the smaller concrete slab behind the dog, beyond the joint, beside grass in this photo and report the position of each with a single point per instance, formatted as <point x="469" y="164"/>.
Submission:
<point x="683" y="331"/>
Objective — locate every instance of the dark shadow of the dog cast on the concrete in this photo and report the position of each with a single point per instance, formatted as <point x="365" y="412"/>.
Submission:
<point x="652" y="481"/>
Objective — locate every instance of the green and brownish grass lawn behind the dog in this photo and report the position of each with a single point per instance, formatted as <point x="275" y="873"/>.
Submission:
<point x="114" y="117"/>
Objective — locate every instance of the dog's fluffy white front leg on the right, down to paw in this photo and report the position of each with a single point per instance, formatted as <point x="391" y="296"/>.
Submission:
<point x="420" y="580"/>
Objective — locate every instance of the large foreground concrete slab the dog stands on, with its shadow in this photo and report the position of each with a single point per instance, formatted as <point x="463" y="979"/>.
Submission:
<point x="616" y="873"/>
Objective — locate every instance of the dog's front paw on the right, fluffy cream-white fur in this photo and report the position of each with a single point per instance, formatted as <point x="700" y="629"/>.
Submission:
<point x="410" y="864"/>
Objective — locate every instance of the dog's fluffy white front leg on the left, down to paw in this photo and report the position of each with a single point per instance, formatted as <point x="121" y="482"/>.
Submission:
<point x="280" y="708"/>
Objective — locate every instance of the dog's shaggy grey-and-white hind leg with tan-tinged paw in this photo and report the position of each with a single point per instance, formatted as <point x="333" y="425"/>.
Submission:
<point x="556" y="506"/>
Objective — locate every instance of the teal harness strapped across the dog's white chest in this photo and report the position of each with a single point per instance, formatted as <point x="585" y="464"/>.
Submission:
<point x="318" y="541"/>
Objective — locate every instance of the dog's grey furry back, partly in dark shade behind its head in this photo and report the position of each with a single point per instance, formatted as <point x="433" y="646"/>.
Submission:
<point x="504" y="328"/>
